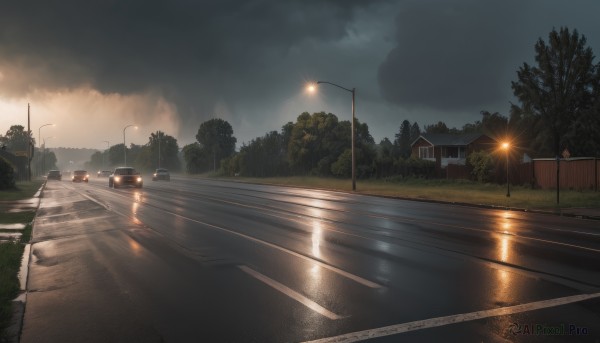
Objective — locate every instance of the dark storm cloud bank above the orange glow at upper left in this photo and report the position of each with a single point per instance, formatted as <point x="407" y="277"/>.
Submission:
<point x="186" y="49"/>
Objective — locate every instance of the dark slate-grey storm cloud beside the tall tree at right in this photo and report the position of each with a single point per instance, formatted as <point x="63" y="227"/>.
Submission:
<point x="462" y="55"/>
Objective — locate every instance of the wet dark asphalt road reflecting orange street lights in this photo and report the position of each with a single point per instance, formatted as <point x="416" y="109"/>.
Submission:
<point x="207" y="261"/>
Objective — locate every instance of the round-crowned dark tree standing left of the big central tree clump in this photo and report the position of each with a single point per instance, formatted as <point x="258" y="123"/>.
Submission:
<point x="216" y="136"/>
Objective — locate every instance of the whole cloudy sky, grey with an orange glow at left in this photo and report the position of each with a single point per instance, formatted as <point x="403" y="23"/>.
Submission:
<point x="93" y="67"/>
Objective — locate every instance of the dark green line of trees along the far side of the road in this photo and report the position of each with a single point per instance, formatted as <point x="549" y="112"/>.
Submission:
<point x="558" y="108"/>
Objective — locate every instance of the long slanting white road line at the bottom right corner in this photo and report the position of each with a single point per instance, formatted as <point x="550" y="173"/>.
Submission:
<point x="458" y="318"/>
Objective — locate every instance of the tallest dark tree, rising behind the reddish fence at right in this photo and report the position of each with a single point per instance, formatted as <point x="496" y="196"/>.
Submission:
<point x="559" y="90"/>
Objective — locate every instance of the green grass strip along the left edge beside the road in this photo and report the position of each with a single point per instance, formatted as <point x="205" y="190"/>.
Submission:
<point x="11" y="252"/>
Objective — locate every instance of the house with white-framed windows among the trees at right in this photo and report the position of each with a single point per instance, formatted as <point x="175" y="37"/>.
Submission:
<point x="445" y="148"/>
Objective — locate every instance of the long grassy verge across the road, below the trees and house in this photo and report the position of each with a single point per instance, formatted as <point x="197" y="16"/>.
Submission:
<point x="460" y="191"/>
